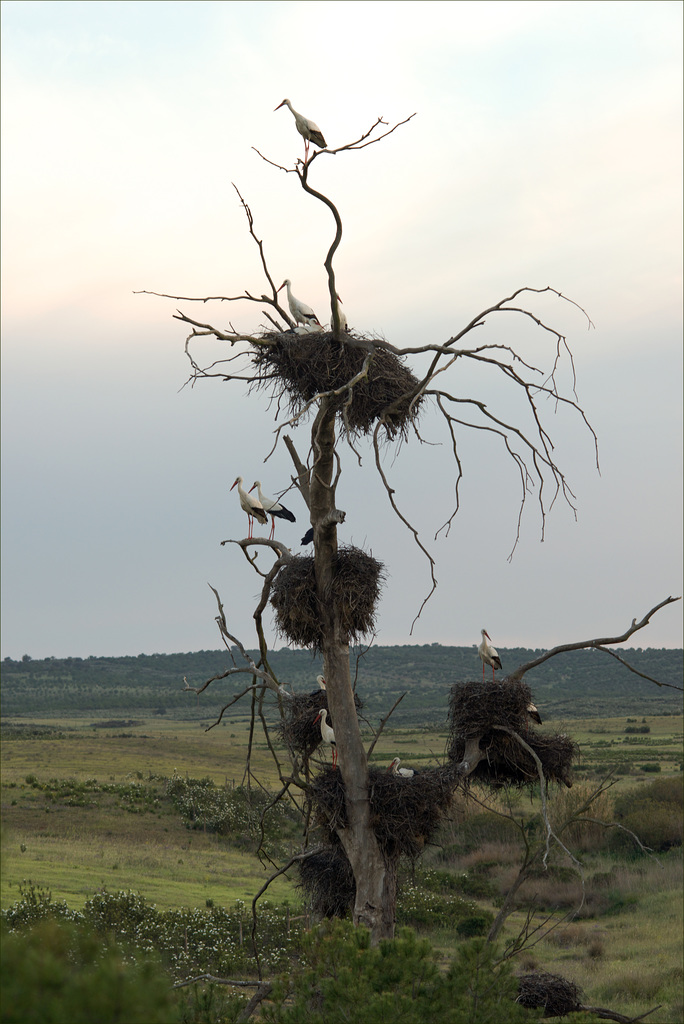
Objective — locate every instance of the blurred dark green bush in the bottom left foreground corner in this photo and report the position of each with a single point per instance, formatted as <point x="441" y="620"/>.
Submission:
<point x="56" y="972"/>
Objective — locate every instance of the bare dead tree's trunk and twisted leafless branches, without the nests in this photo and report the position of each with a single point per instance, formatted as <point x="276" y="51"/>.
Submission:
<point x="340" y="392"/>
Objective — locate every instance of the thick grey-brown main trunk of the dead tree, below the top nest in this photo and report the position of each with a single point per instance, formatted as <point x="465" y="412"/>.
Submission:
<point x="376" y="881"/>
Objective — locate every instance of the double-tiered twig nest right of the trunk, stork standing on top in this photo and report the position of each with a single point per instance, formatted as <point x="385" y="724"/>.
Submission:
<point x="476" y="707"/>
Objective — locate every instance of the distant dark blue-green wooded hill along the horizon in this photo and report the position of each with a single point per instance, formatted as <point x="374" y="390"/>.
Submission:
<point x="585" y="684"/>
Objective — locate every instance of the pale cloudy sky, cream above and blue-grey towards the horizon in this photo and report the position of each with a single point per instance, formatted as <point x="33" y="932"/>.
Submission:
<point x="546" y="150"/>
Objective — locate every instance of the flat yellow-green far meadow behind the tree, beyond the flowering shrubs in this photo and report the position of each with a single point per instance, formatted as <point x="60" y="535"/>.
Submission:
<point x="75" y="850"/>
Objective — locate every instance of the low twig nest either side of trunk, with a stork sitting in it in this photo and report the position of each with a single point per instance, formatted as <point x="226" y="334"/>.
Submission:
<point x="405" y="813"/>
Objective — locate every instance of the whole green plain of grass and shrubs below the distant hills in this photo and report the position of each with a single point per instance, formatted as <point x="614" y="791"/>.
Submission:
<point x="143" y="858"/>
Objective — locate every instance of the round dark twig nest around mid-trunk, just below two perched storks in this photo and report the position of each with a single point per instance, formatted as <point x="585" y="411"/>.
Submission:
<point x="355" y="592"/>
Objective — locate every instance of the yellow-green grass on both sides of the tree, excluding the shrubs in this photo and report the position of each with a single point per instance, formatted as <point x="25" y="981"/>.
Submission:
<point x="624" y="950"/>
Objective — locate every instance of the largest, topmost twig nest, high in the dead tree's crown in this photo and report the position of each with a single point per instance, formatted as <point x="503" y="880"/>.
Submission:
<point x="300" y="367"/>
